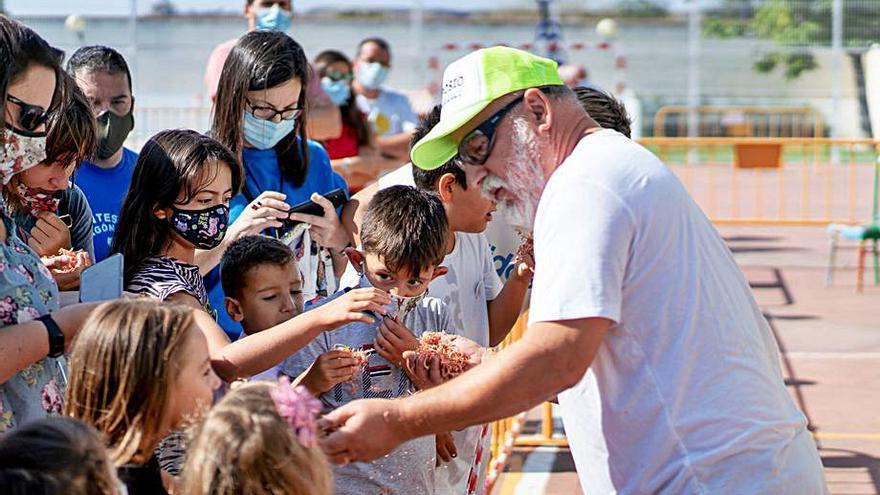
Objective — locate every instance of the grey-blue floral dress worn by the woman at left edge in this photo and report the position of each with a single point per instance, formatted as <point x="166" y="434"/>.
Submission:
<point x="27" y="291"/>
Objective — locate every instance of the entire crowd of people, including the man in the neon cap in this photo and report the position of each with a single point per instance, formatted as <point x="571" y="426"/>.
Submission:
<point x="248" y="336"/>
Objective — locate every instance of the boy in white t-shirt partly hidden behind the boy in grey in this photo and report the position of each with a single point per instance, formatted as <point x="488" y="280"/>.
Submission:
<point x="480" y="308"/>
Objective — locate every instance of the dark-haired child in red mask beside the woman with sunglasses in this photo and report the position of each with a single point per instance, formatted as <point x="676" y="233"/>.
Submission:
<point x="50" y="213"/>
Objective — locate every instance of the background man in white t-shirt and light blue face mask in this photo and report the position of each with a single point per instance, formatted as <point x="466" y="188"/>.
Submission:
<point x="390" y="113"/>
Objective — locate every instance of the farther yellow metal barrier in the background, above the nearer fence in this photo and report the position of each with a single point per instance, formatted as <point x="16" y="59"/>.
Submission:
<point x="740" y="121"/>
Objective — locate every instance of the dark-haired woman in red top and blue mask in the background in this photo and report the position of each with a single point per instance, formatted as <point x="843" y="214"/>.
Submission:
<point x="352" y="154"/>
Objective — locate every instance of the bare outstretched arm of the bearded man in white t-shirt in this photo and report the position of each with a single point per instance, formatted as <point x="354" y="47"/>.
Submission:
<point x="551" y="357"/>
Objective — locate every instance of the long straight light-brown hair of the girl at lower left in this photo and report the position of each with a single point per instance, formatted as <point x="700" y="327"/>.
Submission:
<point x="122" y="367"/>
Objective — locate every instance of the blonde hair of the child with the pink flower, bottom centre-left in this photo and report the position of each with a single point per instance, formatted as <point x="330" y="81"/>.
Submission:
<point x="244" y="446"/>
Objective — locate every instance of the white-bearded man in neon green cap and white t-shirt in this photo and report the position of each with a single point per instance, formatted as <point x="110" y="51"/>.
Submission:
<point x="633" y="281"/>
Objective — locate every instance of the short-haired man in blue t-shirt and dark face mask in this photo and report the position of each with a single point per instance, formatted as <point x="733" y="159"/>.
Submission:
<point x="103" y="75"/>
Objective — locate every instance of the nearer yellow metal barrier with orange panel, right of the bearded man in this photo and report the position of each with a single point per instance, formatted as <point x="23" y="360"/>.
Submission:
<point x="810" y="181"/>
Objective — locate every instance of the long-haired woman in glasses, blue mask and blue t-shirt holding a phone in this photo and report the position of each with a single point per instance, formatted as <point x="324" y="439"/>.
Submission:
<point x="260" y="113"/>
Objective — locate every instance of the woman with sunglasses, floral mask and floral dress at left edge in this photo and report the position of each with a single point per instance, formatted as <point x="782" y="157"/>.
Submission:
<point x="33" y="330"/>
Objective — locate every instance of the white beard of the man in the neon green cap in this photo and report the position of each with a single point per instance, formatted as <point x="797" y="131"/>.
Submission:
<point x="525" y="179"/>
